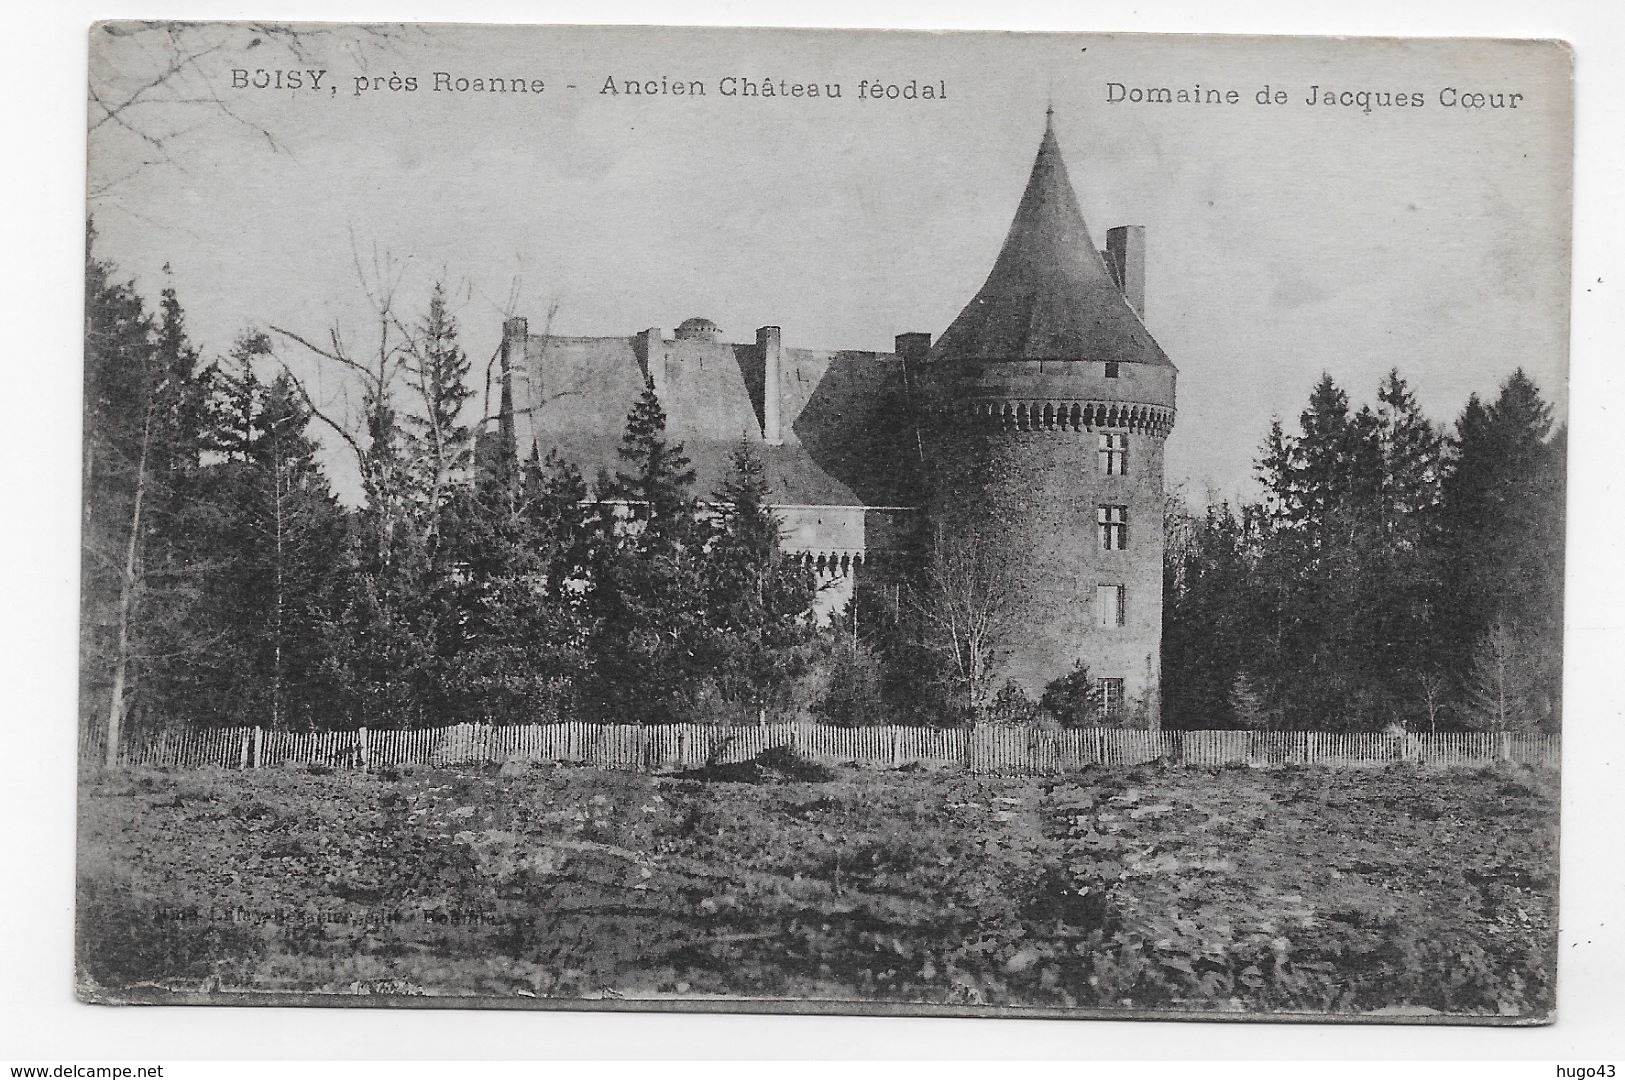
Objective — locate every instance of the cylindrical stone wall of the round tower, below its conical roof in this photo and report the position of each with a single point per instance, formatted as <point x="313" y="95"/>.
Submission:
<point x="1021" y="482"/>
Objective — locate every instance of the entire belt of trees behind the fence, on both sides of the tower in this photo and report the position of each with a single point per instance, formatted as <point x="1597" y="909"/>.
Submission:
<point x="1390" y="571"/>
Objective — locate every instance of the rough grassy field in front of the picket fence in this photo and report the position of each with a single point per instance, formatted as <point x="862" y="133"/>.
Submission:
<point x="1233" y="889"/>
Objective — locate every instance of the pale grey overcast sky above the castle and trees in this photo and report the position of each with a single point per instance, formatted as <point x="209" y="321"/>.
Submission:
<point x="1285" y="240"/>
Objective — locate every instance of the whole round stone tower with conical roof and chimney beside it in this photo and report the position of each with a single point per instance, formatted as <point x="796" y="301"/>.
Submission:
<point x="1051" y="405"/>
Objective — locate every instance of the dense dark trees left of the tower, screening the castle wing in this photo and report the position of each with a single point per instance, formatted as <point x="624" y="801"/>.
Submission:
<point x="225" y="584"/>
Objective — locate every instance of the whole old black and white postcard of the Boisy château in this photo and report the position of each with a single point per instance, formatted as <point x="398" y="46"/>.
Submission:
<point x="812" y="521"/>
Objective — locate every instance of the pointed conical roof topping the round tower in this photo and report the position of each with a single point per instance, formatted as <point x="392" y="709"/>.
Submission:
<point x="1051" y="296"/>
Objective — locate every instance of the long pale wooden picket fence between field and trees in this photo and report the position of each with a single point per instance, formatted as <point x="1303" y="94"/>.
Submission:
<point x="984" y="750"/>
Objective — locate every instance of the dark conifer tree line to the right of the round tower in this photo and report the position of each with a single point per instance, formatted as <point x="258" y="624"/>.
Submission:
<point x="1392" y="572"/>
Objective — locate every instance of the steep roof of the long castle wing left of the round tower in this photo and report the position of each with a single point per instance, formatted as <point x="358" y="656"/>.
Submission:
<point x="846" y="443"/>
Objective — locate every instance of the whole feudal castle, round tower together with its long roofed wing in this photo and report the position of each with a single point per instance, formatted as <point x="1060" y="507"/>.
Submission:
<point x="1031" y="434"/>
